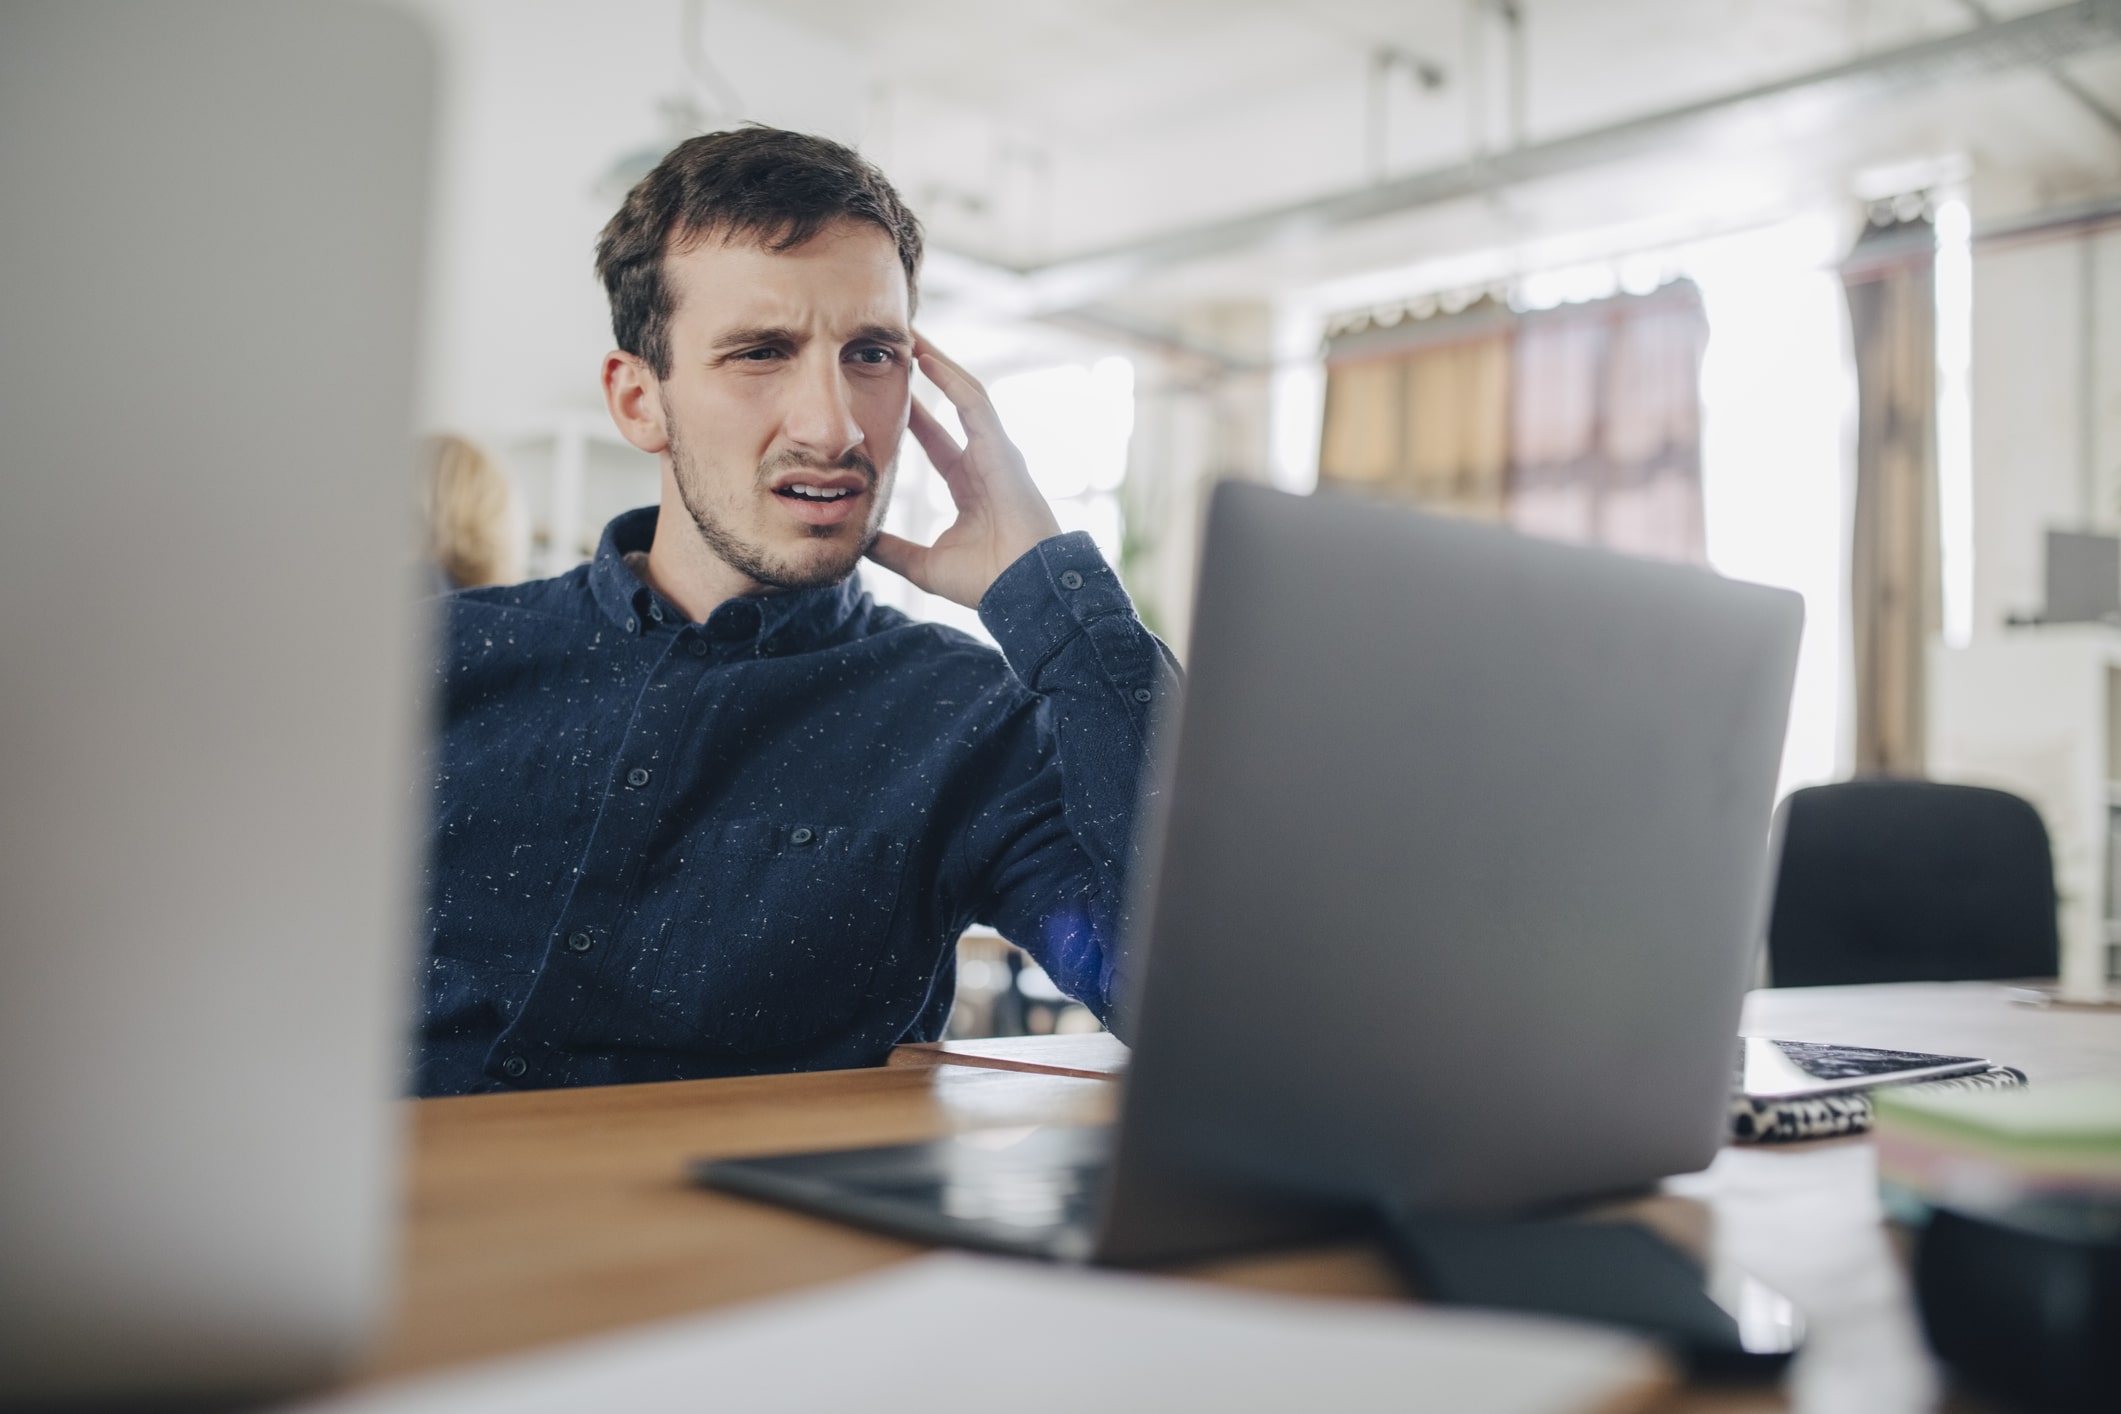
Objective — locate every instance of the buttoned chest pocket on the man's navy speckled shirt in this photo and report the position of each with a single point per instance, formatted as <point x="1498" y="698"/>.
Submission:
<point x="784" y="934"/>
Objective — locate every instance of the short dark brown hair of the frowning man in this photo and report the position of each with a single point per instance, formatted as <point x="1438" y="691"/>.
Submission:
<point x="760" y="183"/>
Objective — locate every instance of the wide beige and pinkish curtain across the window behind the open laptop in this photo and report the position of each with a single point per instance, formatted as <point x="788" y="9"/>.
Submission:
<point x="1579" y="425"/>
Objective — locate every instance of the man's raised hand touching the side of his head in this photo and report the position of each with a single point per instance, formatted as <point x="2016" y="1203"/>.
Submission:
<point x="1000" y="510"/>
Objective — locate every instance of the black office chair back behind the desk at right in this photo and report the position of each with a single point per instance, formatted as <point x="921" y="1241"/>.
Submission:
<point x="1910" y="881"/>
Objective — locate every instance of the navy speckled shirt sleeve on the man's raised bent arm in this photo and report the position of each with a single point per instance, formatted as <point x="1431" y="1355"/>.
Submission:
<point x="1068" y="830"/>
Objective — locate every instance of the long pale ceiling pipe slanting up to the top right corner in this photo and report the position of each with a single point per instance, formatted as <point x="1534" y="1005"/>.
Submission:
<point x="2041" y="37"/>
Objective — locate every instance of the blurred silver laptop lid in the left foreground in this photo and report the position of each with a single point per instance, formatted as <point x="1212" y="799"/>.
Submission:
<point x="211" y="226"/>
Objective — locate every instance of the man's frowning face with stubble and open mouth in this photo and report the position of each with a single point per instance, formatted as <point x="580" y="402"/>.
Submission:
<point x="788" y="397"/>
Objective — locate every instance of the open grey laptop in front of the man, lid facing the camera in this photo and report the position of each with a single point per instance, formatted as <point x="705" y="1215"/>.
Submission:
<point x="1452" y="908"/>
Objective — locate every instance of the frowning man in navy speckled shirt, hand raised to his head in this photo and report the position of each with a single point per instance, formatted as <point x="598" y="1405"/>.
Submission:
<point x="705" y="809"/>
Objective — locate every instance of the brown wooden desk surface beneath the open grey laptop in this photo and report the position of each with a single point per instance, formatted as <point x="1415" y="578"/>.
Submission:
<point x="561" y="1214"/>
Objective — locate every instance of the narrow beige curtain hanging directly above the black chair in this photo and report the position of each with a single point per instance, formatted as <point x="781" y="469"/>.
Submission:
<point x="1893" y="563"/>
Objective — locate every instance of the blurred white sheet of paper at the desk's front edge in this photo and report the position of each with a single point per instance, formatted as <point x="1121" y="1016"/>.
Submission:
<point x="956" y="1335"/>
